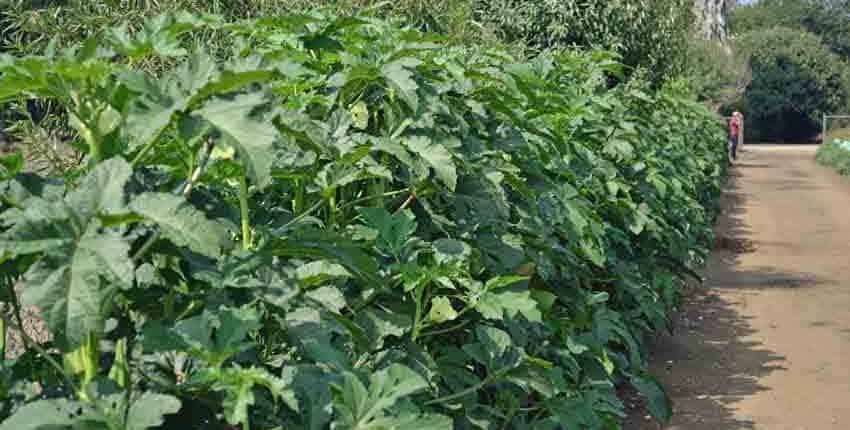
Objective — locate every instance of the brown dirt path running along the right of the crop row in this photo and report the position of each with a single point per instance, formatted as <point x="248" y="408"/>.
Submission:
<point x="766" y="343"/>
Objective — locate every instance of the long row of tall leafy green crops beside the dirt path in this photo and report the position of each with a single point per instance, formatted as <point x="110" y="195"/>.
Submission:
<point x="344" y="224"/>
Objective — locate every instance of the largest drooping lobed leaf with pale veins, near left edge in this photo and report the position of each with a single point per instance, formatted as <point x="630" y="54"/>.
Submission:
<point x="74" y="289"/>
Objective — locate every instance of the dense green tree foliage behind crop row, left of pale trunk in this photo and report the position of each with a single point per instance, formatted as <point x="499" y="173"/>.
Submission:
<point x="651" y="34"/>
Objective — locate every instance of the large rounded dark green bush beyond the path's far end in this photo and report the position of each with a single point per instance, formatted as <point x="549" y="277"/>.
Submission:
<point x="795" y="80"/>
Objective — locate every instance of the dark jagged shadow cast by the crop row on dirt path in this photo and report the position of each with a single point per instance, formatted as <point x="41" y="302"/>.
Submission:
<point x="708" y="364"/>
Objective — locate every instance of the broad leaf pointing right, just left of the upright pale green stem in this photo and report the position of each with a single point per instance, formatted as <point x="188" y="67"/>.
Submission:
<point x="181" y="223"/>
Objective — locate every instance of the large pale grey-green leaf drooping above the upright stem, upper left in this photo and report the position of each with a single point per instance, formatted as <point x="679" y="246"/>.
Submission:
<point x="252" y="138"/>
